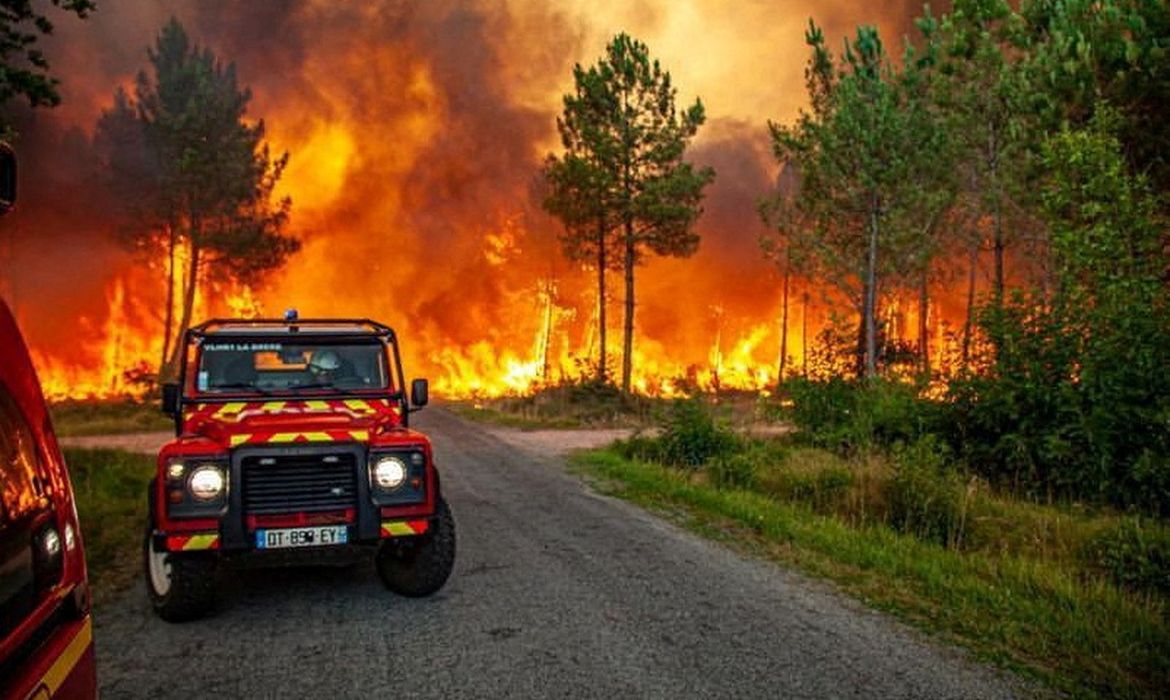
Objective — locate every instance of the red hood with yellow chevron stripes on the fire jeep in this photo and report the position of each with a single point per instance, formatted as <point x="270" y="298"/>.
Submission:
<point x="284" y="422"/>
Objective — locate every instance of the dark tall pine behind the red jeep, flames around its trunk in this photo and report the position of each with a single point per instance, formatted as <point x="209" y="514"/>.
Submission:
<point x="195" y="177"/>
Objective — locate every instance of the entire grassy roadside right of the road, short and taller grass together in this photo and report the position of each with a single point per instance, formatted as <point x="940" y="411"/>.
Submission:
<point x="1017" y="592"/>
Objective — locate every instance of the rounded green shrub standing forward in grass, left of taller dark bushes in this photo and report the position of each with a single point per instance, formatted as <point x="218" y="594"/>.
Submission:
<point x="927" y="497"/>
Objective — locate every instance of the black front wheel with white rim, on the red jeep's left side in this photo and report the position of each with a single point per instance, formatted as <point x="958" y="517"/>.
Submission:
<point x="182" y="587"/>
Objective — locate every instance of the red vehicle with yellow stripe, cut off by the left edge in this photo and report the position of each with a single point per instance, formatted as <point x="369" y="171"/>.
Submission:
<point x="47" y="647"/>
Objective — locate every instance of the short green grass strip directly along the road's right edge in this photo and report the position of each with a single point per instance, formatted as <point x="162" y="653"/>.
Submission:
<point x="1077" y="634"/>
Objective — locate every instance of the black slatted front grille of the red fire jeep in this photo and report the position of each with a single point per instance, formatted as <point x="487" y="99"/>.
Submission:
<point x="301" y="484"/>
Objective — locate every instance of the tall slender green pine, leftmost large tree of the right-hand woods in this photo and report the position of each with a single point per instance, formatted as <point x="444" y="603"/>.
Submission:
<point x="863" y="152"/>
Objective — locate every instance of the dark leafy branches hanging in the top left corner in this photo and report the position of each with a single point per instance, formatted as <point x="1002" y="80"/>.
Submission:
<point x="24" y="68"/>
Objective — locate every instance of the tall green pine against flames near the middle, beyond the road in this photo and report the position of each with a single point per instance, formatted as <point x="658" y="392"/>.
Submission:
<point x="625" y="162"/>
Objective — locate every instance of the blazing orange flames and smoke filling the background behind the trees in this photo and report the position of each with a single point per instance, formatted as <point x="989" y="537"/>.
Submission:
<point x="416" y="133"/>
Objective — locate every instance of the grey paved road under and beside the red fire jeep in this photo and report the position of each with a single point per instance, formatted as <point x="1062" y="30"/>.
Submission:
<point x="558" y="593"/>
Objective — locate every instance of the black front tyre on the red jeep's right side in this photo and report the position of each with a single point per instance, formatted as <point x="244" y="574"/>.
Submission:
<point x="422" y="567"/>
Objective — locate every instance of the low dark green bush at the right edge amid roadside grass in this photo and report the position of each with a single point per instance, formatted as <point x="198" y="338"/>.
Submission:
<point x="1135" y="554"/>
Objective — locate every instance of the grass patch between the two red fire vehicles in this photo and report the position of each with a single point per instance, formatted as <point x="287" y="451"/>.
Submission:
<point x="111" y="489"/>
